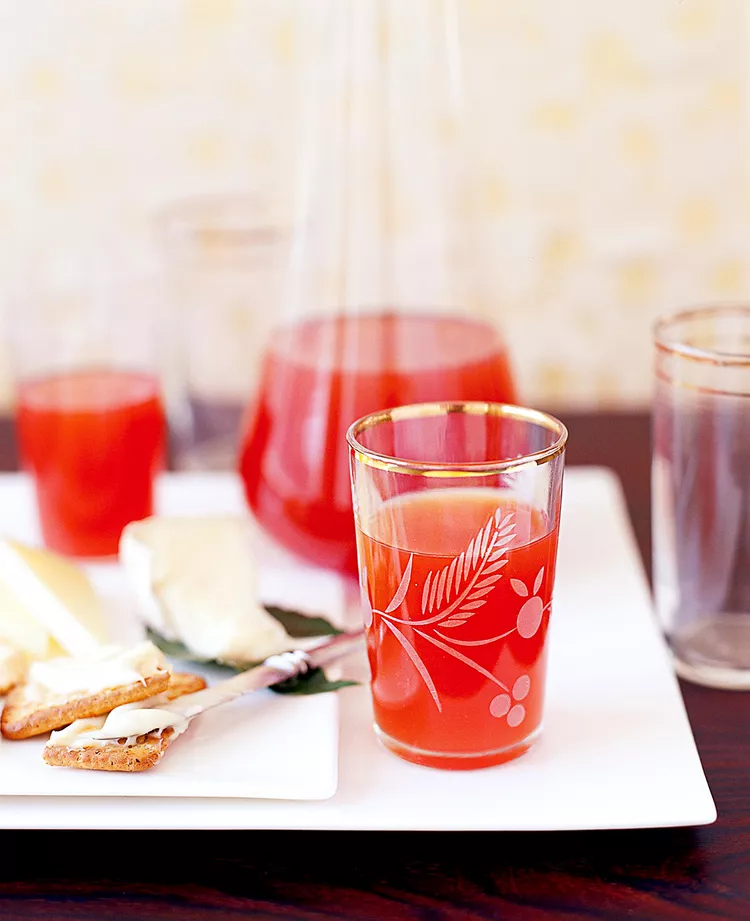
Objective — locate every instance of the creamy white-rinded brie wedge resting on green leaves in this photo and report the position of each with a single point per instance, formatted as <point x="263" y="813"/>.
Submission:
<point x="195" y="579"/>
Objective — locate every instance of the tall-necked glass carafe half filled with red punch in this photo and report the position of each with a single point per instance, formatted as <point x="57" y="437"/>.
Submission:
<point x="384" y="303"/>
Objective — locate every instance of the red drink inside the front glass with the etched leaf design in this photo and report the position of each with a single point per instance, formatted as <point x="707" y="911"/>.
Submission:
<point x="458" y="587"/>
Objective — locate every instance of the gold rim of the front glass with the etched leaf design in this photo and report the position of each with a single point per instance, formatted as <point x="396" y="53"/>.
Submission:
<point x="474" y="408"/>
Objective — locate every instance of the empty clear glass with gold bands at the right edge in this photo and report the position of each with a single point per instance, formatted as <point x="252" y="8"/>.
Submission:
<point x="701" y="492"/>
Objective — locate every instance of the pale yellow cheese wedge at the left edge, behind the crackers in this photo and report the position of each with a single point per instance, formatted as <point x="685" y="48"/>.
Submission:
<point x="48" y="607"/>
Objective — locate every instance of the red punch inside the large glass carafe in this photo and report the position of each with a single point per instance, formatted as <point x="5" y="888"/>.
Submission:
<point x="320" y="376"/>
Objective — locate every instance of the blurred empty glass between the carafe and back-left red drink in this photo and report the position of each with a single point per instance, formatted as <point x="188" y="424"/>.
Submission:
<point x="223" y="257"/>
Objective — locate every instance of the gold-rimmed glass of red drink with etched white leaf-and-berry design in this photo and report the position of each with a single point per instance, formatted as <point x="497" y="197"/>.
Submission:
<point x="458" y="509"/>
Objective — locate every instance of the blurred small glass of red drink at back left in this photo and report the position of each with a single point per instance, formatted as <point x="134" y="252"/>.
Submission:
<point x="90" y="415"/>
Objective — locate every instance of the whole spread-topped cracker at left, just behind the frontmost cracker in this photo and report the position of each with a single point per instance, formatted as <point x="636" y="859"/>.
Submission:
<point x="58" y="691"/>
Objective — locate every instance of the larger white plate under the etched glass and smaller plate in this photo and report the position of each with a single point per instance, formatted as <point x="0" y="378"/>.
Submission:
<point x="617" y="749"/>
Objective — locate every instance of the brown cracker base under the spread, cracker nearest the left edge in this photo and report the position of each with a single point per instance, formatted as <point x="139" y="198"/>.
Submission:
<point x="25" y="715"/>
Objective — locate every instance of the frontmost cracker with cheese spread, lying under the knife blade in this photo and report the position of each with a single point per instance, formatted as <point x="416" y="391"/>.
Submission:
<point x="74" y="746"/>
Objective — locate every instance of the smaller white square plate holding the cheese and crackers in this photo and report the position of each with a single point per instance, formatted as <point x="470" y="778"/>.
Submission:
<point x="244" y="749"/>
